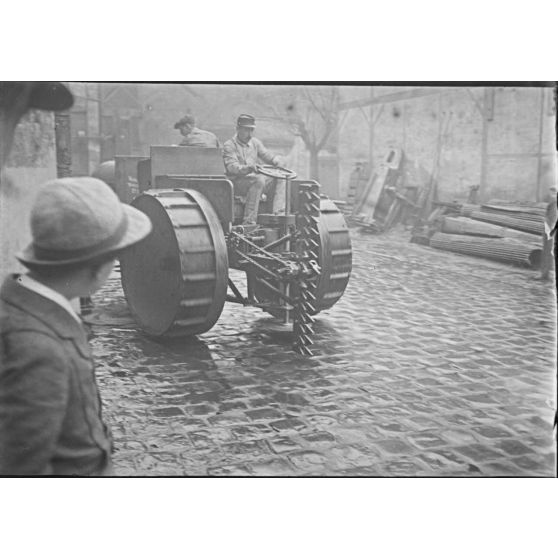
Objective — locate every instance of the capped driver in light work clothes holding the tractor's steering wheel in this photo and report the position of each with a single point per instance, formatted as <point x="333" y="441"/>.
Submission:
<point x="240" y="155"/>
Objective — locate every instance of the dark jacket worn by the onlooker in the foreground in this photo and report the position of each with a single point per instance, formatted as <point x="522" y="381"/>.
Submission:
<point x="50" y="409"/>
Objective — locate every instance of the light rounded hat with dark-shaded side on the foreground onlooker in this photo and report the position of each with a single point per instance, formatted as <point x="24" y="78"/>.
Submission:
<point x="76" y="220"/>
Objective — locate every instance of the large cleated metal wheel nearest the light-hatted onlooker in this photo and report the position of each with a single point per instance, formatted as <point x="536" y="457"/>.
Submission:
<point x="175" y="281"/>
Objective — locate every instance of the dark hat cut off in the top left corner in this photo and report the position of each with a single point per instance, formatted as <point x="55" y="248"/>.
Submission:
<point x="42" y="95"/>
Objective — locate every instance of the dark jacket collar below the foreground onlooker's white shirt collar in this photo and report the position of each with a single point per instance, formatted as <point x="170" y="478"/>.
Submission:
<point x="42" y="308"/>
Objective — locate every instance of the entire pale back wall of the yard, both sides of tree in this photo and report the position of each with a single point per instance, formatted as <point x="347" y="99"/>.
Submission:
<point x="443" y="135"/>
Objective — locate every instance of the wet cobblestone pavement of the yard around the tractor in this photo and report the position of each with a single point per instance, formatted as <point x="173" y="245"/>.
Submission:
<point x="432" y="364"/>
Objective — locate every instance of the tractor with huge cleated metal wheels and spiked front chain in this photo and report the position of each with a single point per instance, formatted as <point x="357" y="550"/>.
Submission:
<point x="176" y="281"/>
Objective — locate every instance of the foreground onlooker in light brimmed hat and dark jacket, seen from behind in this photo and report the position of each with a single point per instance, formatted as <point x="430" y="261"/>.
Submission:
<point x="50" y="410"/>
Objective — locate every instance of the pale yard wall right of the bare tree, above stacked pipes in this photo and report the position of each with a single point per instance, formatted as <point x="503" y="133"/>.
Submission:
<point x="443" y="134"/>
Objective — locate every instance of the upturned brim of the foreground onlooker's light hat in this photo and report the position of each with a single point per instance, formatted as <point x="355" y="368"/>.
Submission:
<point x="139" y="226"/>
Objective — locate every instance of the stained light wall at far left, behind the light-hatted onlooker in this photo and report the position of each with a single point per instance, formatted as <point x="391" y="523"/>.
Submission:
<point x="32" y="162"/>
